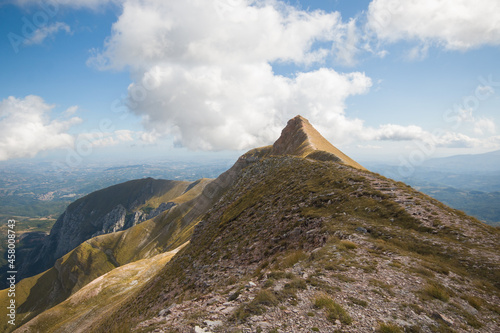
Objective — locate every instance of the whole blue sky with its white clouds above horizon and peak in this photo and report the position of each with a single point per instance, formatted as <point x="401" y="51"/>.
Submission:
<point x="383" y="80"/>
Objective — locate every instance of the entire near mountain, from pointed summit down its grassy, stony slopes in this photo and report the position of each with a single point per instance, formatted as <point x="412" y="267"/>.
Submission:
<point x="295" y="237"/>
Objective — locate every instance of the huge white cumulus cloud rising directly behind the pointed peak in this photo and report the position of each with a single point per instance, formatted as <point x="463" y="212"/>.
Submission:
<point x="207" y="80"/>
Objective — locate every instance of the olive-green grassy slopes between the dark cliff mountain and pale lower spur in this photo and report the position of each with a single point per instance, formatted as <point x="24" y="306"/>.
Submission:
<point x="101" y="254"/>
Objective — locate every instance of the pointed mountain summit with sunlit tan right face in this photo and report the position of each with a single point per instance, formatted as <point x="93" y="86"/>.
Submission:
<point x="300" y="138"/>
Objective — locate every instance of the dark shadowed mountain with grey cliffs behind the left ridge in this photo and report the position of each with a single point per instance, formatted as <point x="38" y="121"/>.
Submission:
<point x="109" y="210"/>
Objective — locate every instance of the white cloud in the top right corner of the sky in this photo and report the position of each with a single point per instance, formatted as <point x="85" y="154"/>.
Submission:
<point x="454" y="24"/>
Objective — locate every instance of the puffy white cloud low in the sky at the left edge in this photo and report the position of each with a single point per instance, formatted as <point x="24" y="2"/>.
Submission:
<point x="26" y="128"/>
